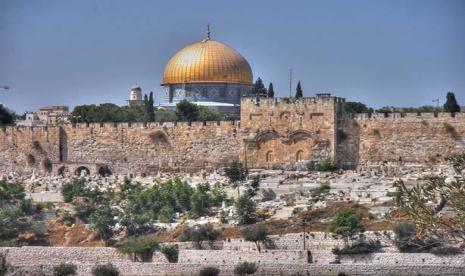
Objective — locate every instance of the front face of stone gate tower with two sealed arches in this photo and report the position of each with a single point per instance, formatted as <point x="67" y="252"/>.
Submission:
<point x="280" y="132"/>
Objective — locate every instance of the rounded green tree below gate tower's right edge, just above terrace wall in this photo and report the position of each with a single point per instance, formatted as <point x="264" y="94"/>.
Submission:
<point x="345" y="224"/>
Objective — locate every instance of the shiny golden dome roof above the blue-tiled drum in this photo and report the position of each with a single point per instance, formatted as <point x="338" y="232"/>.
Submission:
<point x="207" y="61"/>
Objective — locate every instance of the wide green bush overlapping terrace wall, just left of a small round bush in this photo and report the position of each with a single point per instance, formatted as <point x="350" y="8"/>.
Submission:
<point x="141" y="247"/>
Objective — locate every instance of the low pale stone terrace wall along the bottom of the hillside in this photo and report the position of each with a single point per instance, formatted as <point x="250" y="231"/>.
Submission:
<point x="278" y="263"/>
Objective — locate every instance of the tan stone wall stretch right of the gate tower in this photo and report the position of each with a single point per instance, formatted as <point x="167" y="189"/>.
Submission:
<point x="423" y="139"/>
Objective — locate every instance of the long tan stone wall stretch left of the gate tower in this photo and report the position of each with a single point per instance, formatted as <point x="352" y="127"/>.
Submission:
<point x="123" y="148"/>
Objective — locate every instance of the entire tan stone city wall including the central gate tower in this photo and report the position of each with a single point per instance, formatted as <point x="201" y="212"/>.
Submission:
<point x="272" y="133"/>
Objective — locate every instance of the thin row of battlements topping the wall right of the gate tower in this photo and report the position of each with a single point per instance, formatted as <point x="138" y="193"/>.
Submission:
<point x="409" y="116"/>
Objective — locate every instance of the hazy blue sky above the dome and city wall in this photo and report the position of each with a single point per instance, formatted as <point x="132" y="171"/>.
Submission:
<point x="394" y="52"/>
